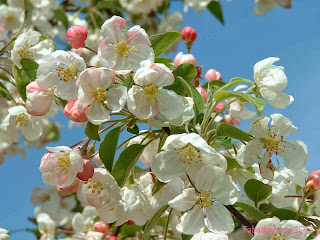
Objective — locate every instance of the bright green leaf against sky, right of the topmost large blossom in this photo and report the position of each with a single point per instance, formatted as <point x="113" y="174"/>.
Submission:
<point x="163" y="41"/>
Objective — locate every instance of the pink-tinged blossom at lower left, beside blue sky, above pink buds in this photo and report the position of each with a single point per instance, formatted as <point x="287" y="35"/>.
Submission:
<point x="62" y="166"/>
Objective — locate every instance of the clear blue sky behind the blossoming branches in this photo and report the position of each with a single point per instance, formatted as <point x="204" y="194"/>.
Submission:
<point x="292" y="35"/>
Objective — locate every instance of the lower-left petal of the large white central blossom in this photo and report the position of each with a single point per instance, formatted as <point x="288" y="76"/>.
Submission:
<point x="167" y="166"/>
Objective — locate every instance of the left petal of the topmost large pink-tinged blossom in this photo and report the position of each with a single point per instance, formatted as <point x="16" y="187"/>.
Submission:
<point x="106" y="53"/>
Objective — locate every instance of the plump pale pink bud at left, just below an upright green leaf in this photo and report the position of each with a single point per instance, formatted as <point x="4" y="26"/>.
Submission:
<point x="38" y="100"/>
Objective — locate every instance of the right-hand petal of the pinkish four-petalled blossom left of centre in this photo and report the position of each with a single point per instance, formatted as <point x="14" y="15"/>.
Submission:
<point x="116" y="98"/>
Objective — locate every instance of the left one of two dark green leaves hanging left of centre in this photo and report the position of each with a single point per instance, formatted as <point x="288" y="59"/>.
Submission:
<point x="108" y="148"/>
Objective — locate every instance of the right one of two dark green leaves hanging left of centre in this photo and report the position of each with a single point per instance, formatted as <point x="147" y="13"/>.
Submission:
<point x="126" y="162"/>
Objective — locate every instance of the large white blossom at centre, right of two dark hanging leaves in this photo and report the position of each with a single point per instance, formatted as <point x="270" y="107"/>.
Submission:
<point x="185" y="154"/>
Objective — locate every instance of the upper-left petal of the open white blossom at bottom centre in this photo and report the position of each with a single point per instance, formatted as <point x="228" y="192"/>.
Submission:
<point x="185" y="201"/>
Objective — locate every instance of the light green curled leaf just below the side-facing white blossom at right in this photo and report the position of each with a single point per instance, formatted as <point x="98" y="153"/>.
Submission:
<point x="256" y="102"/>
